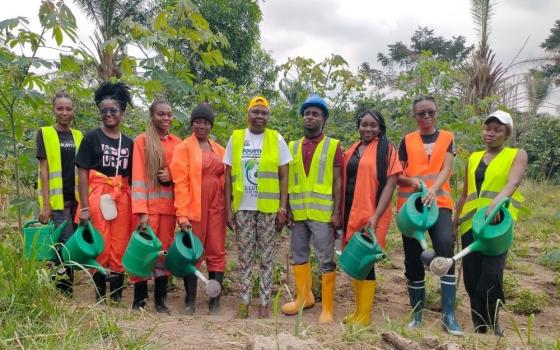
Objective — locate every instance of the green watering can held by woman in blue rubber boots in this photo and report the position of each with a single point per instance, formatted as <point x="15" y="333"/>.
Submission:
<point x="415" y="218"/>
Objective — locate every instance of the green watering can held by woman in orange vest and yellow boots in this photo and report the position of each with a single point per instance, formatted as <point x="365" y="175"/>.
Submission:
<point x="361" y="252"/>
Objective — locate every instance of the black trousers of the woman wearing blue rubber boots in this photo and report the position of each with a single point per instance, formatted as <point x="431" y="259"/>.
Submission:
<point x="442" y="241"/>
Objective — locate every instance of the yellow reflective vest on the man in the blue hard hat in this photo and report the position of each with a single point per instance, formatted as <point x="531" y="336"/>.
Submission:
<point x="311" y="195"/>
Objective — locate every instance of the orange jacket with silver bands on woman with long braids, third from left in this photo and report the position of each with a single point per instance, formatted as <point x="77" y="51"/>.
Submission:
<point x="156" y="199"/>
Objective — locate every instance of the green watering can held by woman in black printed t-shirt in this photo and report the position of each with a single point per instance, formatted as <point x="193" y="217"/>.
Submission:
<point x="83" y="247"/>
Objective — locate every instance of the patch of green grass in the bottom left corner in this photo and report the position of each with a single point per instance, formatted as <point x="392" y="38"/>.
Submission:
<point x="33" y="315"/>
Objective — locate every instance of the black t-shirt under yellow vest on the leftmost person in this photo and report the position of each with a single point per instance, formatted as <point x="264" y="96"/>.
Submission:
<point x="67" y="156"/>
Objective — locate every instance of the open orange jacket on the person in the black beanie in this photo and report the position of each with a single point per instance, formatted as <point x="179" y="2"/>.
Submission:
<point x="186" y="170"/>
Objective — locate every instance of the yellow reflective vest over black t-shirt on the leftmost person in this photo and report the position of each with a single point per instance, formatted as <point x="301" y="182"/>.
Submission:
<point x="54" y="161"/>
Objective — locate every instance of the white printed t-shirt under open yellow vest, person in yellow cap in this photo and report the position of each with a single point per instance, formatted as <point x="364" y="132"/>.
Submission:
<point x="252" y="148"/>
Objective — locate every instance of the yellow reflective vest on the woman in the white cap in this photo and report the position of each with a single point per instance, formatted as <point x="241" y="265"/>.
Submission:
<point x="495" y="179"/>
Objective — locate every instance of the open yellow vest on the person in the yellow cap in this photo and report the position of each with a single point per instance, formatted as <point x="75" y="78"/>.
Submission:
<point x="268" y="184"/>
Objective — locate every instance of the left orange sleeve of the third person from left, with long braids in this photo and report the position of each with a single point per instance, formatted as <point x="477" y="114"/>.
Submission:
<point x="139" y="191"/>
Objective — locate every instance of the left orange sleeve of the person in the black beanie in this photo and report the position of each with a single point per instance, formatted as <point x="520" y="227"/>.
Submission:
<point x="180" y="169"/>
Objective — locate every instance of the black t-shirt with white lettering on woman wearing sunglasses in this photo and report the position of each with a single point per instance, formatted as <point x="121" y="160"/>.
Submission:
<point x="99" y="152"/>
